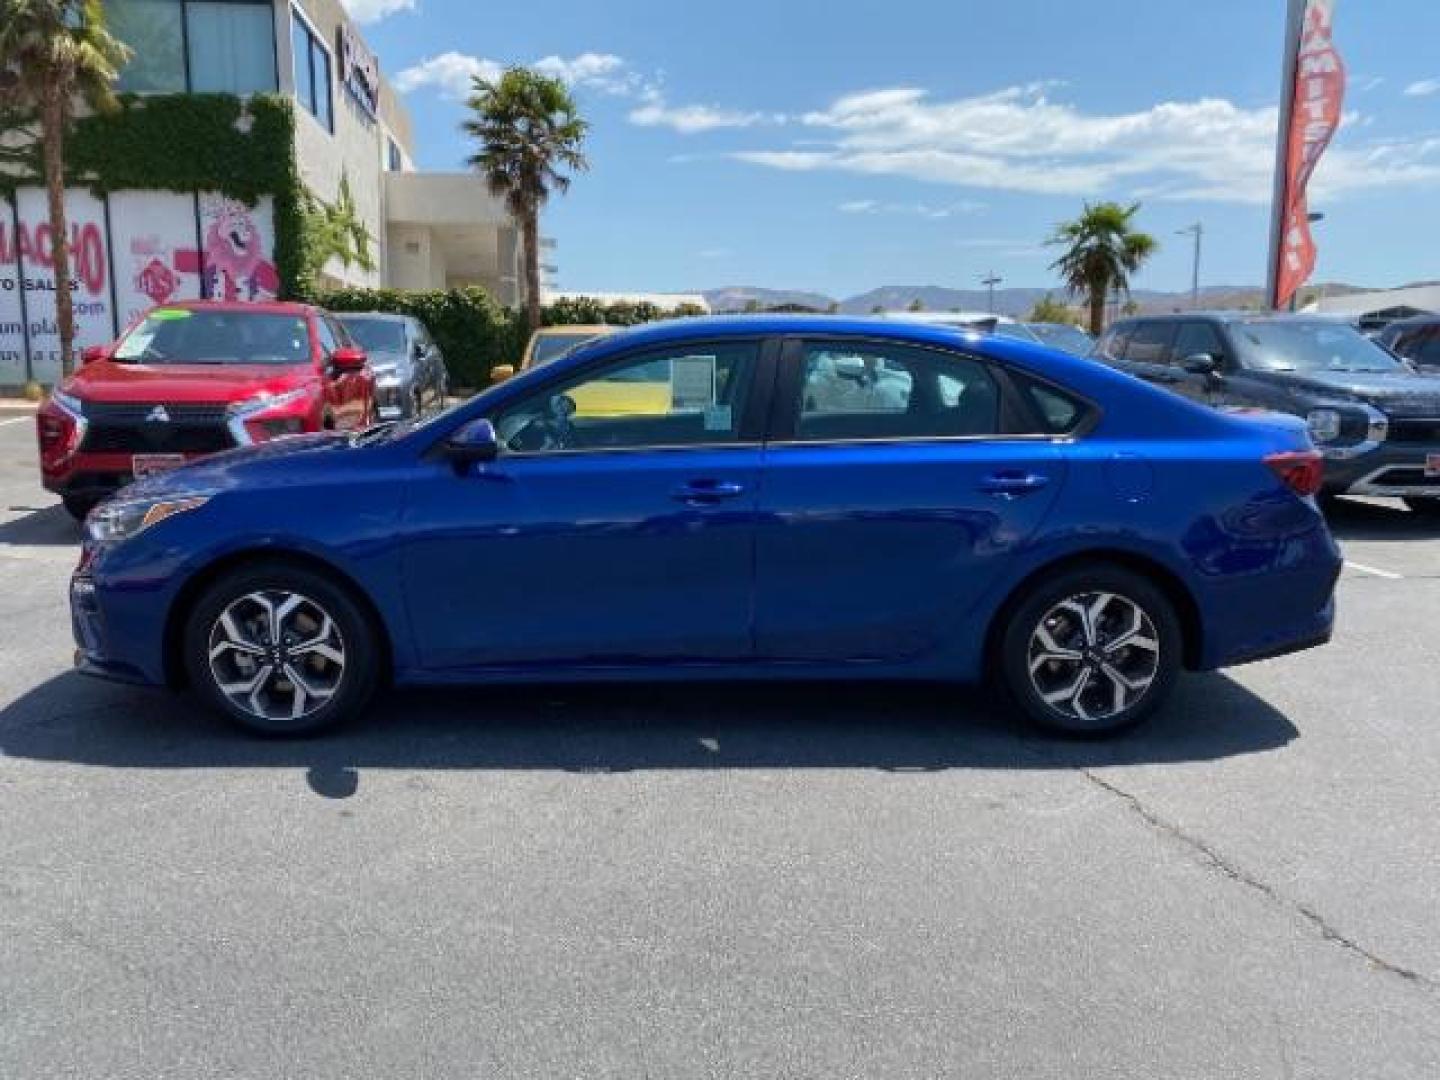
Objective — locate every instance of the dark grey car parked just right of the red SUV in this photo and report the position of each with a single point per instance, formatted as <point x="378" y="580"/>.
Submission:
<point x="410" y="368"/>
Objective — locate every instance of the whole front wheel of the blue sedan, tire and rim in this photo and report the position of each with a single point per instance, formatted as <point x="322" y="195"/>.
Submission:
<point x="282" y="650"/>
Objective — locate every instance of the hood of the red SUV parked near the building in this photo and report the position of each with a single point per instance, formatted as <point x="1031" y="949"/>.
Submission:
<point x="185" y="384"/>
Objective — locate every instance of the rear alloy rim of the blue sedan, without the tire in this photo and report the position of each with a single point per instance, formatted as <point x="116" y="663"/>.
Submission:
<point x="1094" y="656"/>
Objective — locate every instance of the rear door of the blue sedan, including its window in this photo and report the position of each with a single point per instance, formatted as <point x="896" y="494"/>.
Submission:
<point x="889" y="503"/>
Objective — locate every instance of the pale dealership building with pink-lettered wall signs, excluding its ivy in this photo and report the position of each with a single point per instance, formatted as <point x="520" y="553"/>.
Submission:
<point x="352" y="150"/>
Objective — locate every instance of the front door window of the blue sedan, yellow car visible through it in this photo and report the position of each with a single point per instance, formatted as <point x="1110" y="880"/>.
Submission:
<point x="688" y="397"/>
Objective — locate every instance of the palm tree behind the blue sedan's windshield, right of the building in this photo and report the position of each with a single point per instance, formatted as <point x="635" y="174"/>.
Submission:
<point x="529" y="130"/>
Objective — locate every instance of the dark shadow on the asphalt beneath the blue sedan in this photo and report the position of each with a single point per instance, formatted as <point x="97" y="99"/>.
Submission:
<point x="901" y="728"/>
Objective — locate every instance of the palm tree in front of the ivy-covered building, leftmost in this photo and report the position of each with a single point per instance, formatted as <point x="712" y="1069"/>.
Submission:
<point x="51" y="54"/>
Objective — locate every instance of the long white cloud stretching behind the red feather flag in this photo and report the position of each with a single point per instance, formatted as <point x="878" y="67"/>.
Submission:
<point x="1019" y="140"/>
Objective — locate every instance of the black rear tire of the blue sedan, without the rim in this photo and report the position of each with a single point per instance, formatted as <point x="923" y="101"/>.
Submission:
<point x="1092" y="712"/>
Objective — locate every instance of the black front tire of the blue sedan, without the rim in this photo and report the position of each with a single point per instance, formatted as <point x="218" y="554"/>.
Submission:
<point x="348" y="693"/>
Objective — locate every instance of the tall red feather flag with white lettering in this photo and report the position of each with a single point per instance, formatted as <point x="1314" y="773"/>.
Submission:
<point x="1317" y="96"/>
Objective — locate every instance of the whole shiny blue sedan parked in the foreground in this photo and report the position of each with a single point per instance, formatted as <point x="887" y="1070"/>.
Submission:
<point x="757" y="498"/>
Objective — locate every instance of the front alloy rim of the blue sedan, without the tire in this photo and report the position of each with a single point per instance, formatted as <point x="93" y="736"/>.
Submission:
<point x="277" y="654"/>
